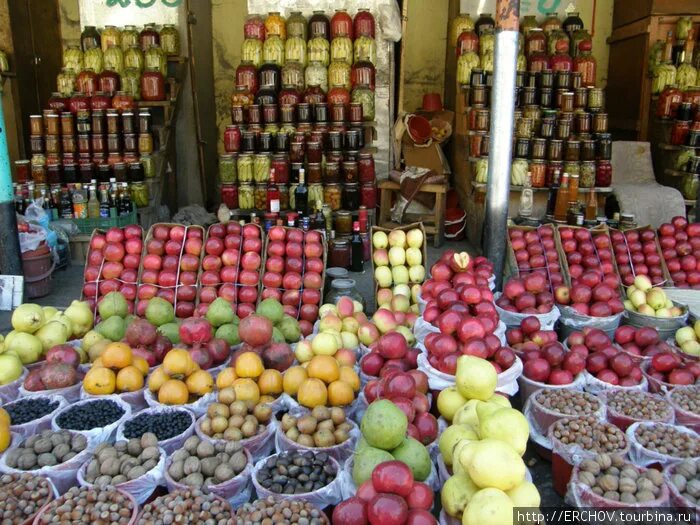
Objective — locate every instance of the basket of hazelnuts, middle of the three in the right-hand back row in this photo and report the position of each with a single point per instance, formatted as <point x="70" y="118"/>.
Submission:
<point x="624" y="407"/>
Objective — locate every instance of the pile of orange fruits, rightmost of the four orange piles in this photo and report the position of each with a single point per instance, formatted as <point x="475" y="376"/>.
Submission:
<point x="323" y="381"/>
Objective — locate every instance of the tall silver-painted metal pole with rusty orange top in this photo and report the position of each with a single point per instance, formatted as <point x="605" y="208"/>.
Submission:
<point x="500" y="145"/>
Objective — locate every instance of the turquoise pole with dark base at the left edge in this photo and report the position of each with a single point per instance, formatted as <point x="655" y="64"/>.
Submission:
<point x="10" y="254"/>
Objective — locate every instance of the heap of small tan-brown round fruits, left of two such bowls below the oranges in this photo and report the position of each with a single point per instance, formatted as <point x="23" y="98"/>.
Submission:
<point x="234" y="420"/>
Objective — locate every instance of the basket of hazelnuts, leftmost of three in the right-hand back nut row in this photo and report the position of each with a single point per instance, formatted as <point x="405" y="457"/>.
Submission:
<point x="547" y="406"/>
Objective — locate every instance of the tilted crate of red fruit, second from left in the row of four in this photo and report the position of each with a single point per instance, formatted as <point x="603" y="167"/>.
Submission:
<point x="170" y="267"/>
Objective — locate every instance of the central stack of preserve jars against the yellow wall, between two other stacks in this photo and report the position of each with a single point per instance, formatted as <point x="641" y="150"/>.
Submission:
<point x="304" y="98"/>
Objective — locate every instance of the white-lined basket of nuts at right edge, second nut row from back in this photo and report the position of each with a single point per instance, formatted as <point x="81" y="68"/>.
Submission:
<point x="661" y="443"/>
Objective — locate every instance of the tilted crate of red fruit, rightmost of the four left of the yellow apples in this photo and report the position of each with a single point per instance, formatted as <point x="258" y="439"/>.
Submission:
<point x="295" y="265"/>
